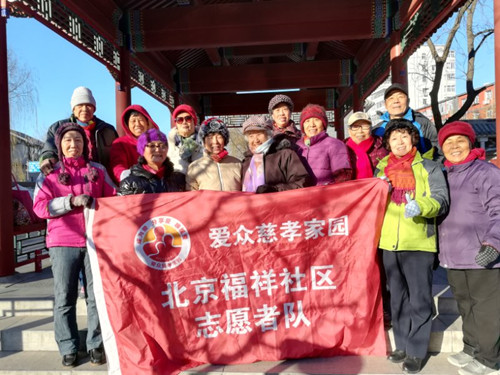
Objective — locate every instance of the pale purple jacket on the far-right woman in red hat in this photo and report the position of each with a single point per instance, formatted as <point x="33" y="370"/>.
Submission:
<point x="474" y="215"/>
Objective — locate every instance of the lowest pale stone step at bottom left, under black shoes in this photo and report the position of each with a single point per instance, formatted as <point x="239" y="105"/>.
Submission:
<point x="44" y="363"/>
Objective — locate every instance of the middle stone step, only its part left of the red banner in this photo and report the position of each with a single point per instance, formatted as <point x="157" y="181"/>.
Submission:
<point x="34" y="333"/>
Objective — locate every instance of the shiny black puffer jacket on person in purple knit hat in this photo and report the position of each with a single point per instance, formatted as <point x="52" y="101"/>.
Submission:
<point x="140" y="181"/>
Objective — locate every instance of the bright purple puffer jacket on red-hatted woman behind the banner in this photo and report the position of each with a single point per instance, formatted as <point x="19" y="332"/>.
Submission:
<point x="324" y="157"/>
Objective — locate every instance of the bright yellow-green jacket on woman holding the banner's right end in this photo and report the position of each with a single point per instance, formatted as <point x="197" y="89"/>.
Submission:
<point x="431" y="193"/>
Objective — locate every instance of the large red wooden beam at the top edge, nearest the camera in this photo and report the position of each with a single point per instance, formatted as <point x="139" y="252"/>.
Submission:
<point x="255" y="23"/>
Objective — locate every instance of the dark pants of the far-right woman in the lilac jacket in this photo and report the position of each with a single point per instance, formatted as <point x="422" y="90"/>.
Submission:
<point x="478" y="297"/>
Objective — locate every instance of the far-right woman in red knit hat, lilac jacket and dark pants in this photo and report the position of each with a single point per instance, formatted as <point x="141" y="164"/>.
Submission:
<point x="469" y="246"/>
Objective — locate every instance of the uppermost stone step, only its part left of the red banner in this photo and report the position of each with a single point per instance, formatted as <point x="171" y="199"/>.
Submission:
<point x="35" y="307"/>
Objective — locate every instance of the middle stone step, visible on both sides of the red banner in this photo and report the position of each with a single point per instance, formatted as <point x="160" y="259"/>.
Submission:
<point x="33" y="333"/>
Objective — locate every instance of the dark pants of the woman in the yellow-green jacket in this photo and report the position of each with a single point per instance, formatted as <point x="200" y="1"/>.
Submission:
<point x="409" y="276"/>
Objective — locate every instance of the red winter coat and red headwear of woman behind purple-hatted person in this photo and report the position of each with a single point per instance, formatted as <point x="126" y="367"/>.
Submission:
<point x="124" y="149"/>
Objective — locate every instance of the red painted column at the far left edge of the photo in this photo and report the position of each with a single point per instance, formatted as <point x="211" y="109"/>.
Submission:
<point x="7" y="264"/>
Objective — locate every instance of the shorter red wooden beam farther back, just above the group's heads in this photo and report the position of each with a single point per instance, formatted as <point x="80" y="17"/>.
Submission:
<point x="313" y="74"/>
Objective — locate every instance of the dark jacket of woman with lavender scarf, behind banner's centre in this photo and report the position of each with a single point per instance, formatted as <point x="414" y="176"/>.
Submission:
<point x="283" y="168"/>
